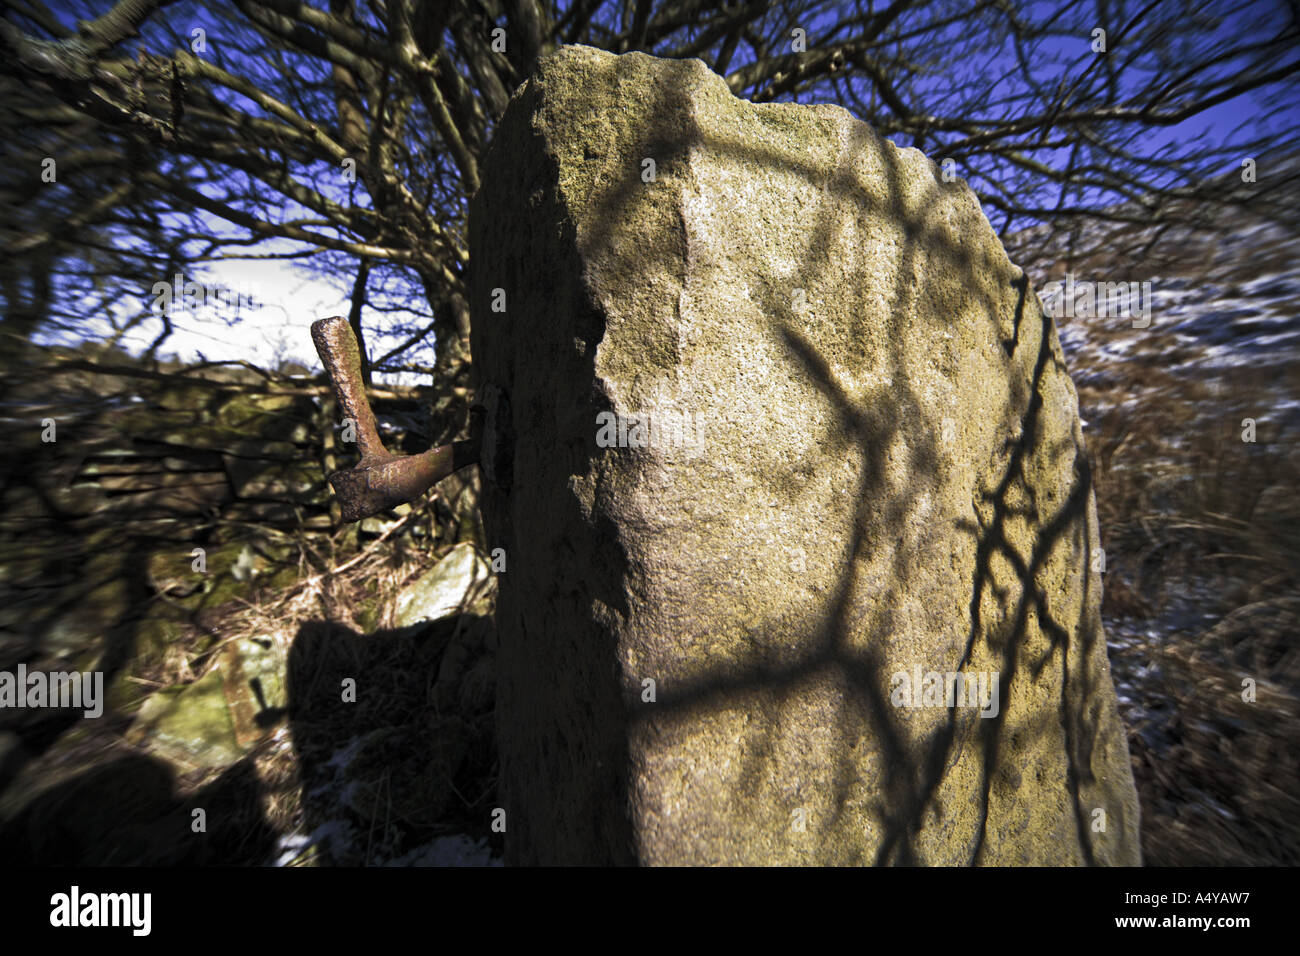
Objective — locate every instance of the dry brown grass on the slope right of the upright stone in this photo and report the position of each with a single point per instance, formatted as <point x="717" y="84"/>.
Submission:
<point x="1202" y="533"/>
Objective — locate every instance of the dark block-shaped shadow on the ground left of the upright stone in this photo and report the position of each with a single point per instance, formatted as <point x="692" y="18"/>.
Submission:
<point x="395" y="736"/>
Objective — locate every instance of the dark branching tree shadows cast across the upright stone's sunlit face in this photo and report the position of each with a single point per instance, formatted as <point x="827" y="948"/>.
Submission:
<point x="833" y="646"/>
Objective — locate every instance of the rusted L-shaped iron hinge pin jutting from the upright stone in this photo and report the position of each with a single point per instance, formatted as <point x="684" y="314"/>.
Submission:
<point x="380" y="481"/>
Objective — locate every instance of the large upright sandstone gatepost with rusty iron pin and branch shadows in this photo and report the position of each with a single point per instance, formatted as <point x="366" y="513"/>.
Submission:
<point x="864" y="465"/>
